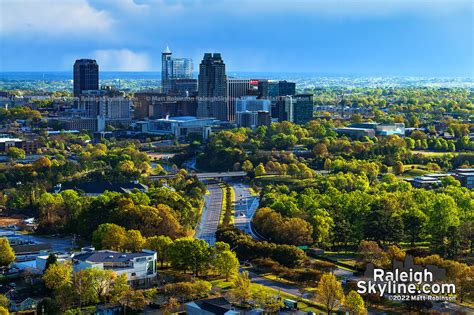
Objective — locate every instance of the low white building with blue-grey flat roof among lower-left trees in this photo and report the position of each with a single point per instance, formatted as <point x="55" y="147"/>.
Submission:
<point x="140" y="267"/>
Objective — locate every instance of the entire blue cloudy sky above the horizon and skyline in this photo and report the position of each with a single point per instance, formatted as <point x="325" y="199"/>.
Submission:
<point x="327" y="37"/>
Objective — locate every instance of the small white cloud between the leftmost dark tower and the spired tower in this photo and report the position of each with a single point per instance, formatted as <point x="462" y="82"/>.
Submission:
<point x="121" y="60"/>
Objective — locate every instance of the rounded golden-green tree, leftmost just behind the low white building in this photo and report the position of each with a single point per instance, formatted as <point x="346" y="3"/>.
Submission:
<point x="109" y="236"/>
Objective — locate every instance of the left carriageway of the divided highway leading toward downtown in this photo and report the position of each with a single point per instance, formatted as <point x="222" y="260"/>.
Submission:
<point x="210" y="214"/>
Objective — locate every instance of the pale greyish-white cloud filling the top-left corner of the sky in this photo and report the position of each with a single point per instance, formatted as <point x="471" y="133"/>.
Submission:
<point x="52" y="17"/>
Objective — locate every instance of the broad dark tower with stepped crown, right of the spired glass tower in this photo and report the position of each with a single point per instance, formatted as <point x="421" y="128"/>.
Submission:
<point x="212" y="87"/>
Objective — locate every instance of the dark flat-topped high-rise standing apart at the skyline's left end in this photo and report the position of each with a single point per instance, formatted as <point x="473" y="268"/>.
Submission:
<point x="86" y="76"/>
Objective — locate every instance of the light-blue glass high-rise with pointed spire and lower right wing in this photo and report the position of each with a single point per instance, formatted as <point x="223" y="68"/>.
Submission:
<point x="173" y="69"/>
